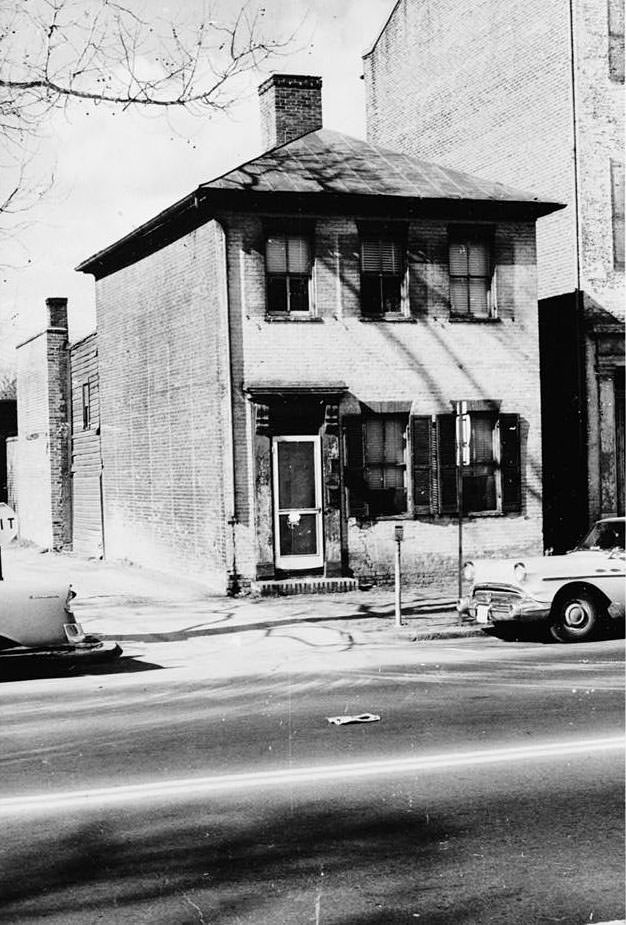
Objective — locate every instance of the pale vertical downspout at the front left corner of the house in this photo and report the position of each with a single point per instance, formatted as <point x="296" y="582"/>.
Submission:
<point x="233" y="583"/>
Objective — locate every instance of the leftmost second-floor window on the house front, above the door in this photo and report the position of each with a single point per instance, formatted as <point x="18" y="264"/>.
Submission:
<point x="288" y="274"/>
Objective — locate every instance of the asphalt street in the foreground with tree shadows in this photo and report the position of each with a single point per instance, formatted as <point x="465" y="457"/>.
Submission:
<point x="167" y="789"/>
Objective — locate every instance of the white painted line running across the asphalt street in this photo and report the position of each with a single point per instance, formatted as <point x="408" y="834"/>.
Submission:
<point x="205" y="786"/>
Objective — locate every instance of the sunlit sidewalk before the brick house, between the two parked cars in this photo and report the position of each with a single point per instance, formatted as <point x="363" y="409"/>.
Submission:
<point x="131" y="604"/>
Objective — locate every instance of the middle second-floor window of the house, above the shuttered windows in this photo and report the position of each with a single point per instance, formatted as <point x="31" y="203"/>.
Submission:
<point x="382" y="274"/>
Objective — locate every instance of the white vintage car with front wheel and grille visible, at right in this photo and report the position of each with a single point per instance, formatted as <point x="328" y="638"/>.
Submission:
<point x="574" y="593"/>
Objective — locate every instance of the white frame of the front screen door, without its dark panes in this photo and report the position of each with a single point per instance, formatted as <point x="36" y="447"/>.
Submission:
<point x="299" y="563"/>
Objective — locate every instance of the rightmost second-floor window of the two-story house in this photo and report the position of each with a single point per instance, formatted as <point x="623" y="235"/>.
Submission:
<point x="470" y="274"/>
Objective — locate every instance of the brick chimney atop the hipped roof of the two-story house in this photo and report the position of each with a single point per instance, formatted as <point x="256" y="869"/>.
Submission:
<point x="291" y="106"/>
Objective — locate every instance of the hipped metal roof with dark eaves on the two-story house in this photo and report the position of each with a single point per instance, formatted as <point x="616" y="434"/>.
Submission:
<point x="328" y="172"/>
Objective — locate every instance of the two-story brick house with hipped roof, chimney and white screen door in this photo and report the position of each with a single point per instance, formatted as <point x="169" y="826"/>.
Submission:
<point x="280" y="353"/>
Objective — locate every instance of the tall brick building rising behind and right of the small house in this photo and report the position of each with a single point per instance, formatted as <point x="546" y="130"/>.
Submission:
<point x="532" y="92"/>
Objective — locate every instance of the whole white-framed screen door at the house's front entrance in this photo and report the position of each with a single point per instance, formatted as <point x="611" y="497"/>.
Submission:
<point x="297" y="474"/>
